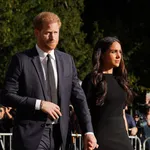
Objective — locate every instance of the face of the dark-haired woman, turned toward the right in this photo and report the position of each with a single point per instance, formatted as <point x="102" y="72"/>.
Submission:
<point x="112" y="57"/>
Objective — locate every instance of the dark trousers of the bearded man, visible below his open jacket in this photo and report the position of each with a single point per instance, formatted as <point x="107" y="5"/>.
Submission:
<point x="51" y="138"/>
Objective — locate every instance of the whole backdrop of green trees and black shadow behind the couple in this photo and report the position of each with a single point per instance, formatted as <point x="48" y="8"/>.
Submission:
<point x="99" y="18"/>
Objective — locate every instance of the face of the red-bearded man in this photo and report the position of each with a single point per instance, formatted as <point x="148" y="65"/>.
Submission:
<point x="48" y="36"/>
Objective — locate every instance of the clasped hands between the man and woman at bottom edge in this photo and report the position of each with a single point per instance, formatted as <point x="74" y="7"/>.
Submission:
<point x="90" y="142"/>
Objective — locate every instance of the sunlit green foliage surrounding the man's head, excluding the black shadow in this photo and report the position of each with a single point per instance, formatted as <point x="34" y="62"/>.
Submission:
<point x="17" y="33"/>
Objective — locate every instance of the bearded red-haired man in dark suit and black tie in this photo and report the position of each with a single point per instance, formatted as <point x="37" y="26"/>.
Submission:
<point x="41" y="98"/>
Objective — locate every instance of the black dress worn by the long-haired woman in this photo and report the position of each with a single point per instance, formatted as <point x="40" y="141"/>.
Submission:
<point x="108" y="122"/>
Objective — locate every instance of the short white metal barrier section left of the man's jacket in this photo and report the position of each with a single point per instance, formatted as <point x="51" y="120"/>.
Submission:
<point x="3" y="140"/>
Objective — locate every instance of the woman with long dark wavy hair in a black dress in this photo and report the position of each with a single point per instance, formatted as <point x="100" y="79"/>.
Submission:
<point x="107" y="90"/>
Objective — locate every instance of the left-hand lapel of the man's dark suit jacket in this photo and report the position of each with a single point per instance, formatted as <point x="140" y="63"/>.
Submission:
<point x="39" y="70"/>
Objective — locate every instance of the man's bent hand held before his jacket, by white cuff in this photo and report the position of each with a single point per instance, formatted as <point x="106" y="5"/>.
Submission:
<point x="51" y="109"/>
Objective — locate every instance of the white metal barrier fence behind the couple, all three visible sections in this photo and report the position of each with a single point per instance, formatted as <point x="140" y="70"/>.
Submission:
<point x="76" y="142"/>
